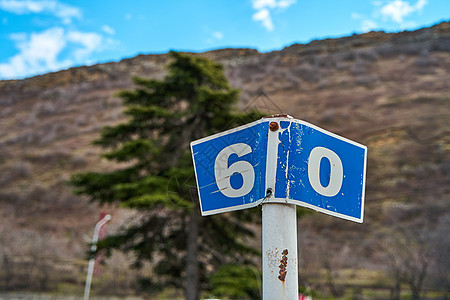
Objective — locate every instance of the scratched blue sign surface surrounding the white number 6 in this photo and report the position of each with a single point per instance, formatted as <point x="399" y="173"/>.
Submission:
<point x="205" y="154"/>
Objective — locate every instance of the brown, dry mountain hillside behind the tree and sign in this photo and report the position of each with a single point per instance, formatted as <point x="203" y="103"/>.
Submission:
<point x="389" y="91"/>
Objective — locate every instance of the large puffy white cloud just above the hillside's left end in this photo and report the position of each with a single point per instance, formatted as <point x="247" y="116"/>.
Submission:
<point x="42" y="52"/>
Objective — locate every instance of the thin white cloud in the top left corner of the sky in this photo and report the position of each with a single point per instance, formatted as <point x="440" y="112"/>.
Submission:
<point x="63" y="11"/>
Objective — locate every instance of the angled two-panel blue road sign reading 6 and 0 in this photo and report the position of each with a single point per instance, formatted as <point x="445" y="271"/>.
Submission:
<point x="302" y="164"/>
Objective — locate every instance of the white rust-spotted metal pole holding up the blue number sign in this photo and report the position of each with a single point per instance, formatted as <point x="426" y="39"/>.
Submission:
<point x="279" y="231"/>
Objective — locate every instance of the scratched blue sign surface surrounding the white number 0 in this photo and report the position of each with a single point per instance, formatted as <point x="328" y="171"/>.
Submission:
<point x="296" y="143"/>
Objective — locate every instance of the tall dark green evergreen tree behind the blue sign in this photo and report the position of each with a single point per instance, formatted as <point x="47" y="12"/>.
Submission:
<point x="192" y="101"/>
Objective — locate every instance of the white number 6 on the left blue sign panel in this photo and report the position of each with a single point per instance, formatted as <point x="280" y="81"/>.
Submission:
<point x="223" y="173"/>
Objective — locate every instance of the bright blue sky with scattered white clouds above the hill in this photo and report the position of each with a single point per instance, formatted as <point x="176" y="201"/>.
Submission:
<point x="38" y="37"/>
